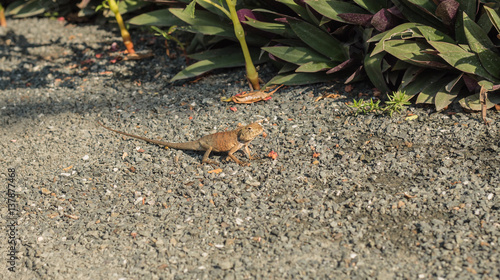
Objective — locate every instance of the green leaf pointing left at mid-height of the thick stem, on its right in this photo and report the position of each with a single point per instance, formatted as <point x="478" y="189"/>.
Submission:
<point x="297" y="55"/>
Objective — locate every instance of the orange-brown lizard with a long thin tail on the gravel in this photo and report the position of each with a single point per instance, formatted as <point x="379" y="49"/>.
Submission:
<point x="227" y="141"/>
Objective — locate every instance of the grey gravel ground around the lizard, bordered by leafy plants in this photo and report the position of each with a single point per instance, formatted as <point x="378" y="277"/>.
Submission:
<point x="348" y="196"/>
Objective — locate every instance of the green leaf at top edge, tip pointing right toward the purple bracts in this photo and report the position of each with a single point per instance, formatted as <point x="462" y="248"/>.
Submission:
<point x="331" y="9"/>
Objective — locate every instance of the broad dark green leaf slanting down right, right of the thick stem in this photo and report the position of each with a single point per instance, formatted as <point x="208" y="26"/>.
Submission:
<point x="319" y="40"/>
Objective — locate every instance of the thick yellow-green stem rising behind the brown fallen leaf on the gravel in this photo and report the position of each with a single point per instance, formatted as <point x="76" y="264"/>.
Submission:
<point x="252" y="75"/>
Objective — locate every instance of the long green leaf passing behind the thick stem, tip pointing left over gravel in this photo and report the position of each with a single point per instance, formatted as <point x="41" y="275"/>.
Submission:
<point x="216" y="59"/>
